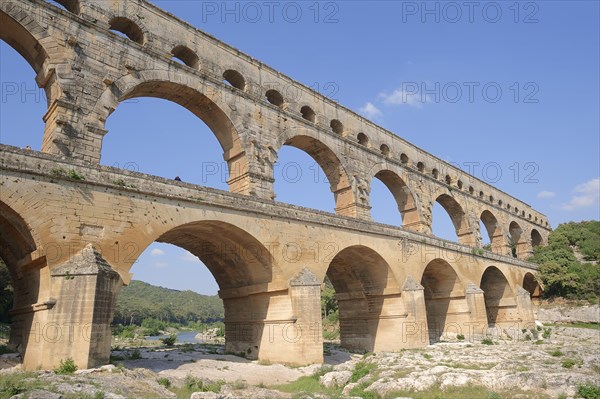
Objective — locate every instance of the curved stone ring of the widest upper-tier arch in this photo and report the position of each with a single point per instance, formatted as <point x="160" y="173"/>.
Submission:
<point x="161" y="84"/>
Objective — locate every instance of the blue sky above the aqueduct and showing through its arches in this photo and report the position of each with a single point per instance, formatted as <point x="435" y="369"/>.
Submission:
<point x="533" y="69"/>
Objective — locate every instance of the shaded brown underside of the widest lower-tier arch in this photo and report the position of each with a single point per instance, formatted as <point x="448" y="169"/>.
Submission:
<point x="244" y="270"/>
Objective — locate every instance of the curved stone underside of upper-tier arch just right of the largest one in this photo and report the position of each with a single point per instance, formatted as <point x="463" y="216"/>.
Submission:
<point x="337" y="173"/>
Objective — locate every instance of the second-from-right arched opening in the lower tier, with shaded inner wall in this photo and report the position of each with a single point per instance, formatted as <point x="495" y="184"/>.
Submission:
<point x="499" y="299"/>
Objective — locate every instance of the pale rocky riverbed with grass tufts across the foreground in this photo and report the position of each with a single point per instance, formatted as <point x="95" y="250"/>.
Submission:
<point x="555" y="367"/>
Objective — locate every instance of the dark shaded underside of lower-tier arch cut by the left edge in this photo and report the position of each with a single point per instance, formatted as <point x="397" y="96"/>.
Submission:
<point x="18" y="249"/>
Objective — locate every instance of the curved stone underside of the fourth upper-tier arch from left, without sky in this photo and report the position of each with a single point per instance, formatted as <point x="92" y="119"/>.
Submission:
<point x="405" y="199"/>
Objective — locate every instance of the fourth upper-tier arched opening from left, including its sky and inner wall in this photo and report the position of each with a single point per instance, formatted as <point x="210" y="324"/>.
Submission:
<point x="402" y="197"/>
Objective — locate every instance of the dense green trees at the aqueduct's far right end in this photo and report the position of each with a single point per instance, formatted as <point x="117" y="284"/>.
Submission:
<point x="561" y="272"/>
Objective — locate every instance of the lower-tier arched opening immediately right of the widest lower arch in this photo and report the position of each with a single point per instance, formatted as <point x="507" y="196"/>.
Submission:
<point x="365" y="289"/>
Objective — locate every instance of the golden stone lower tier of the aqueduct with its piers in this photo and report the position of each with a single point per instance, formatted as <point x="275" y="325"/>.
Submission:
<point x="70" y="232"/>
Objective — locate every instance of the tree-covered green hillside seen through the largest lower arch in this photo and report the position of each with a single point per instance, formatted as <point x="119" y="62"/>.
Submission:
<point x="139" y="301"/>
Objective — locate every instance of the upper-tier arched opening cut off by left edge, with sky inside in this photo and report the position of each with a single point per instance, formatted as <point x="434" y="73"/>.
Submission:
<point x="23" y="102"/>
